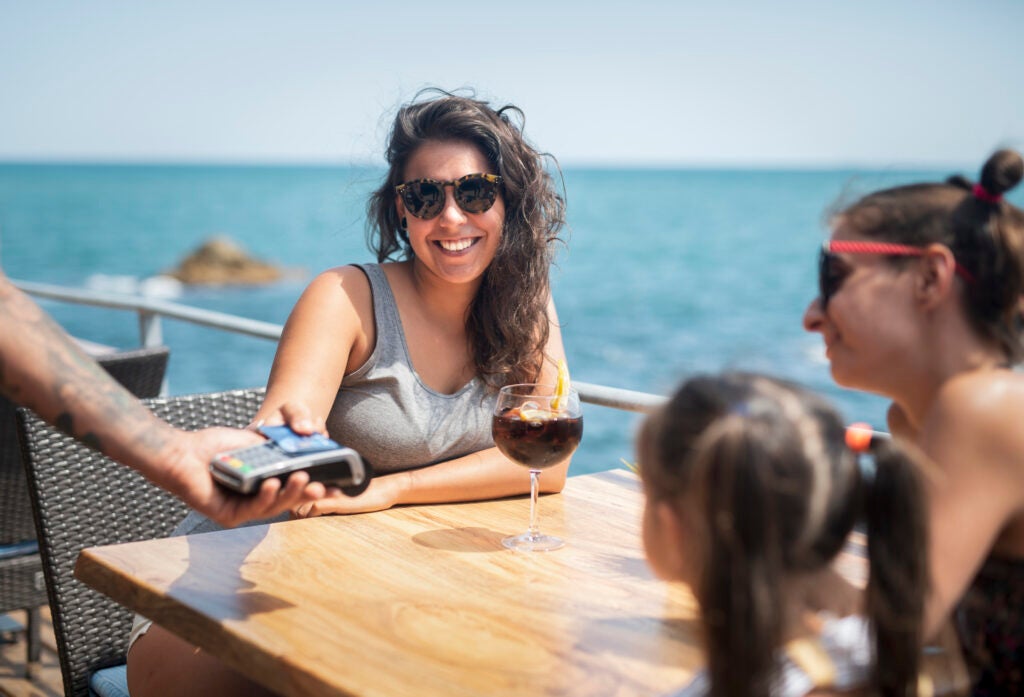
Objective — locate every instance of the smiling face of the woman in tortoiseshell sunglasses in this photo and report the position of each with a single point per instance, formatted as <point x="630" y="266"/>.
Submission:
<point x="456" y="247"/>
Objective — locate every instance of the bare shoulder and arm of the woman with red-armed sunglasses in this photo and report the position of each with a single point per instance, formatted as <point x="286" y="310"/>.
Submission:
<point x="973" y="435"/>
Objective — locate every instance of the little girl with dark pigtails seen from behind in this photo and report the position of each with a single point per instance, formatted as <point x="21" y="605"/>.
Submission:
<point x="752" y="493"/>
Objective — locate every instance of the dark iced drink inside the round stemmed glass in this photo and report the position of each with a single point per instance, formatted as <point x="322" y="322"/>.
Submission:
<point x="537" y="444"/>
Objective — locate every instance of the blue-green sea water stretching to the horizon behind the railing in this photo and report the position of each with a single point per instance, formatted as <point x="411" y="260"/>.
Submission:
<point x="666" y="274"/>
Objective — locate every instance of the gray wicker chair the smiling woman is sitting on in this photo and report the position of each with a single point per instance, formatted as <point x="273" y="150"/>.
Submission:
<point x="82" y="499"/>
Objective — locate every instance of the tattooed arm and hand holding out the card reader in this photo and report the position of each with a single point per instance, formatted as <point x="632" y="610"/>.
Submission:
<point x="42" y="369"/>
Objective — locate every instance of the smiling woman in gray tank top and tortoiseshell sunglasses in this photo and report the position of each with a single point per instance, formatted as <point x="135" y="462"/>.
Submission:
<point x="403" y="360"/>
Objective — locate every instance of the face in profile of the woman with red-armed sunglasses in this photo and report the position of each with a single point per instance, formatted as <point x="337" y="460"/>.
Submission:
<point x="871" y="322"/>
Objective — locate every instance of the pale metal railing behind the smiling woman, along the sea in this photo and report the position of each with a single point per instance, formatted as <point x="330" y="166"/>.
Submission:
<point x="152" y="311"/>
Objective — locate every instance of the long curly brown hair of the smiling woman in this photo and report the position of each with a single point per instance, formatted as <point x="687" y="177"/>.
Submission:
<point x="507" y="324"/>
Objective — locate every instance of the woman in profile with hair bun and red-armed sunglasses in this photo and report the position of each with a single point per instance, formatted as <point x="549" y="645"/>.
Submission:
<point x="920" y="301"/>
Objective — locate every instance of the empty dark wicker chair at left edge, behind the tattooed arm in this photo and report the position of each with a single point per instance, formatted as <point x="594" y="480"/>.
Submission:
<point x="22" y="586"/>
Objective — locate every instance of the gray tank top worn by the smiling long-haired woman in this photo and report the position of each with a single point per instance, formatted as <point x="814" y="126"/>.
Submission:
<point x="386" y="412"/>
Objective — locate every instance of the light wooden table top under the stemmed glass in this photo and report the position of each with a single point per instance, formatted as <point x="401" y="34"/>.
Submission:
<point x="423" y="600"/>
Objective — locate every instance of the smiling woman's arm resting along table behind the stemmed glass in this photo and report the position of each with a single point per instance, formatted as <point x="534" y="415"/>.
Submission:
<point x="483" y="475"/>
